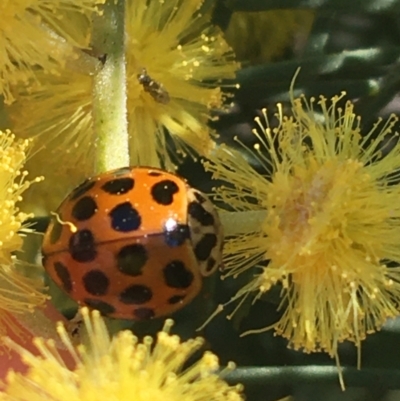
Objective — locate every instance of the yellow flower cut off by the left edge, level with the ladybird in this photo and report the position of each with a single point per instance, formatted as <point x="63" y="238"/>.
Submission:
<point x="18" y="294"/>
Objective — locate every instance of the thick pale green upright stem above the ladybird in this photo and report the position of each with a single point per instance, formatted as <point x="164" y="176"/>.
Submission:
<point x="109" y="89"/>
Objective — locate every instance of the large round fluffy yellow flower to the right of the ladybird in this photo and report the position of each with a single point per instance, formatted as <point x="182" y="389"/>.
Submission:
<point x="332" y="224"/>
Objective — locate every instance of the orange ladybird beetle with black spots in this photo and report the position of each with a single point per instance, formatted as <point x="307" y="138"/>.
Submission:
<point x="142" y="241"/>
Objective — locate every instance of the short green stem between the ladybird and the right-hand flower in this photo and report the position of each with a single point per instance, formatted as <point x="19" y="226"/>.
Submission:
<point x="236" y="223"/>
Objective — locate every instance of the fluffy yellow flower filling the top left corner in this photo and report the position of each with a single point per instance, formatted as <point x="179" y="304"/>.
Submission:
<point x="36" y="33"/>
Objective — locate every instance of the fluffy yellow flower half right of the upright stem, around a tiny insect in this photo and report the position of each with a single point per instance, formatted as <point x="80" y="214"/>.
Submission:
<point x="179" y="49"/>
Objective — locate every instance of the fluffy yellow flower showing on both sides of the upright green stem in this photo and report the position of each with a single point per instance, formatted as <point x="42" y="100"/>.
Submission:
<point x="175" y="63"/>
